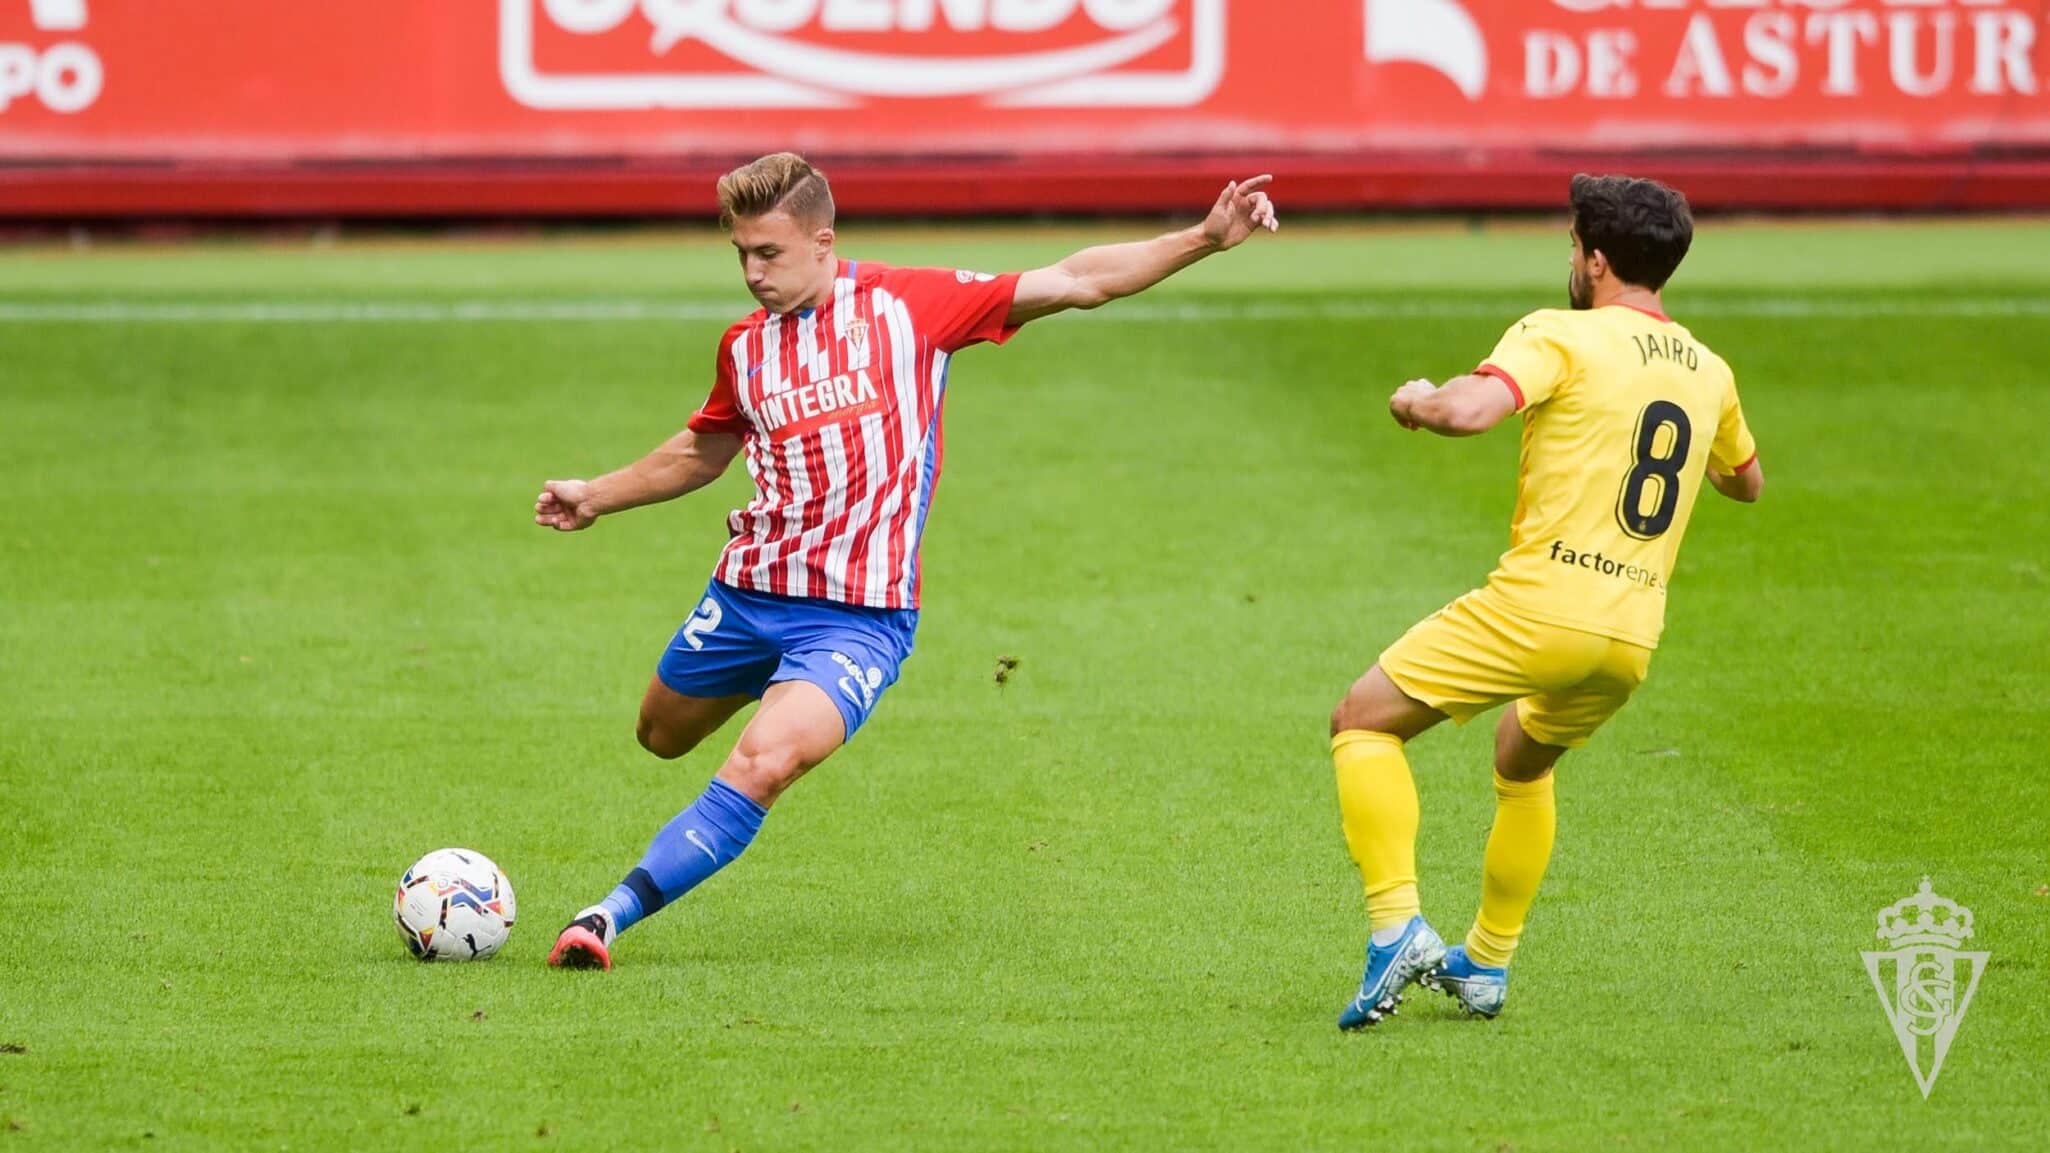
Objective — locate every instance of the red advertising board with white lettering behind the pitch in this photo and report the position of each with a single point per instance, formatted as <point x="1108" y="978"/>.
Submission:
<point x="958" y="106"/>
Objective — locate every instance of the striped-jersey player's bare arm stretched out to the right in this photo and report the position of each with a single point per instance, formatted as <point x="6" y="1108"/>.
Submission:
<point x="1100" y="276"/>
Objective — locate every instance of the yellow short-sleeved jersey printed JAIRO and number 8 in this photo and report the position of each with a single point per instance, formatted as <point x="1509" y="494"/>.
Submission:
<point x="1623" y="413"/>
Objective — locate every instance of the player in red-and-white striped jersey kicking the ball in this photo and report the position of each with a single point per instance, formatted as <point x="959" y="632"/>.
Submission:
<point x="831" y="393"/>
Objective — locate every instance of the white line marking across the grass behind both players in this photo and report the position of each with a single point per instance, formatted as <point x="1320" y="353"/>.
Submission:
<point x="645" y="311"/>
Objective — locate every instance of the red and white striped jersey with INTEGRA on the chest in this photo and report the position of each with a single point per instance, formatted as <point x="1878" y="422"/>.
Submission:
<point x="842" y="418"/>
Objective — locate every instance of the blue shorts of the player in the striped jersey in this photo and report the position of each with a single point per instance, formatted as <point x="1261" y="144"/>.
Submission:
<point x="739" y="643"/>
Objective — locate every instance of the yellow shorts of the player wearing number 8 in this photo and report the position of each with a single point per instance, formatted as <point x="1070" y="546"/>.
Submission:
<point x="1477" y="653"/>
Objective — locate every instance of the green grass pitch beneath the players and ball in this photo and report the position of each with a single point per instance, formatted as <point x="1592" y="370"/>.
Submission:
<point x="274" y="623"/>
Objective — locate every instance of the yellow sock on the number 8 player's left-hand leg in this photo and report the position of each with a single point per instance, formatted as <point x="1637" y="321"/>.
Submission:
<point x="1379" y="803"/>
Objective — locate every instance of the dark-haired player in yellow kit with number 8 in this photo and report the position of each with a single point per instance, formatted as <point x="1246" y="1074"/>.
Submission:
<point x="1625" y="413"/>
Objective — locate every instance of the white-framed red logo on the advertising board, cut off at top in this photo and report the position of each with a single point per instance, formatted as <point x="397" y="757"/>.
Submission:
<point x="792" y="54"/>
